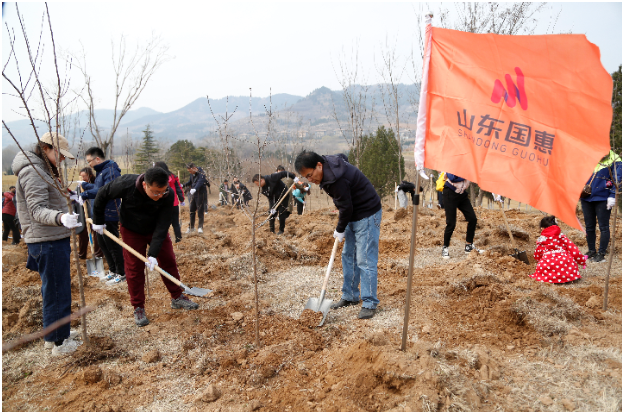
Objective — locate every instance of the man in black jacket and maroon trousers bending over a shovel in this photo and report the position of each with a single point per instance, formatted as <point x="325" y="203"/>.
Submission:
<point x="146" y="214"/>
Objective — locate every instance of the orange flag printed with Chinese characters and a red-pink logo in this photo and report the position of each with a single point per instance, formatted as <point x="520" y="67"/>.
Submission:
<point x="527" y="117"/>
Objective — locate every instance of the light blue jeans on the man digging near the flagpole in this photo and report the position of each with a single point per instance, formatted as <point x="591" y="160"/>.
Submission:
<point x="360" y="261"/>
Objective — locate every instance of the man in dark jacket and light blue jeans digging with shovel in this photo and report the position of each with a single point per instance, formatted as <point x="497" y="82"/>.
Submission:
<point x="360" y="213"/>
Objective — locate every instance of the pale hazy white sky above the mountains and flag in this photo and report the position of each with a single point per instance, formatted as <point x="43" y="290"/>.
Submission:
<point x="224" y="48"/>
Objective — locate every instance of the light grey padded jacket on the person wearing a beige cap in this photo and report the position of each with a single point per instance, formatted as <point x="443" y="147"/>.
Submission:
<point x="39" y="205"/>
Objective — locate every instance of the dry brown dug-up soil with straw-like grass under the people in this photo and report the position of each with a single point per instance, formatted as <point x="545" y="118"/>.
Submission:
<point x="483" y="336"/>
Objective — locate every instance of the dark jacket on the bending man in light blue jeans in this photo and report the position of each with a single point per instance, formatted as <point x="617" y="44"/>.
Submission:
<point x="352" y="192"/>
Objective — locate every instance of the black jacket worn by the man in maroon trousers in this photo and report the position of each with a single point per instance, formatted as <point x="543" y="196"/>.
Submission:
<point x="139" y="213"/>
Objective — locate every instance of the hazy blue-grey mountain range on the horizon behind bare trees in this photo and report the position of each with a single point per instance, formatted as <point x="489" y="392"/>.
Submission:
<point x="314" y="113"/>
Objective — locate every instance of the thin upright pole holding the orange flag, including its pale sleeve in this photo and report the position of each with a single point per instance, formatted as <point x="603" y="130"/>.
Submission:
<point x="422" y="118"/>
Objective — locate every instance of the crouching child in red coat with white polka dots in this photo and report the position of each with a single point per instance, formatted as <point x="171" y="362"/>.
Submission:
<point x="558" y="258"/>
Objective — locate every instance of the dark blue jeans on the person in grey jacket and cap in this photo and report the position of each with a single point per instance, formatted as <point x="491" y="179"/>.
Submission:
<point x="52" y="260"/>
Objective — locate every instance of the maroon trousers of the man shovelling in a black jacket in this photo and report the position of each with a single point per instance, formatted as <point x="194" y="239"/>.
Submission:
<point x="135" y="268"/>
